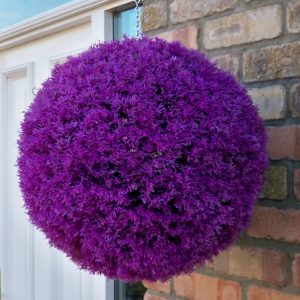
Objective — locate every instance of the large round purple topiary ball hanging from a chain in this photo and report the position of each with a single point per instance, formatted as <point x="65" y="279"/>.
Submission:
<point x="140" y="159"/>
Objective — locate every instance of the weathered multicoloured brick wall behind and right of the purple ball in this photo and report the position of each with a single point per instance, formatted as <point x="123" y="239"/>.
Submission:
<point x="258" y="41"/>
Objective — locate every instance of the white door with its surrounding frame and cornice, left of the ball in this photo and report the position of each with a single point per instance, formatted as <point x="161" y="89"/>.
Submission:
<point x="30" y="268"/>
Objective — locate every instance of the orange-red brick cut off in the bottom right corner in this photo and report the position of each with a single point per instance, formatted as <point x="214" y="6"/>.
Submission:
<point x="257" y="293"/>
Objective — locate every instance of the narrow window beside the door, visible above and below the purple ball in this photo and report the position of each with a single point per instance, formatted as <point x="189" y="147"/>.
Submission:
<point x="124" y="23"/>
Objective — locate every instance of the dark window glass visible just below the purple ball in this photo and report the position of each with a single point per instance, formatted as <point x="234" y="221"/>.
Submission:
<point x="127" y="291"/>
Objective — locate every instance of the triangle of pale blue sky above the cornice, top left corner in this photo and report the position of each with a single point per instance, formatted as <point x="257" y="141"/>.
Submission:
<point x="14" y="11"/>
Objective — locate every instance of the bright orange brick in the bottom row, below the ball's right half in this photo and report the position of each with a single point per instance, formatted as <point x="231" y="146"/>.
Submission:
<point x="202" y="287"/>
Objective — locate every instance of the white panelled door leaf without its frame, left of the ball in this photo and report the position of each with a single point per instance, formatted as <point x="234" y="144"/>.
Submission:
<point x="30" y="268"/>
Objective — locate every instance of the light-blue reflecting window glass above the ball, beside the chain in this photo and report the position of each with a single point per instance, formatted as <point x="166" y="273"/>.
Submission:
<point x="125" y="23"/>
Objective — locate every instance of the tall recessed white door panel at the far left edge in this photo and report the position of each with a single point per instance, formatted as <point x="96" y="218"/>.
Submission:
<point x="17" y="233"/>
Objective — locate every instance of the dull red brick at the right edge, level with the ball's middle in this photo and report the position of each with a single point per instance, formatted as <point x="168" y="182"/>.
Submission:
<point x="284" y="142"/>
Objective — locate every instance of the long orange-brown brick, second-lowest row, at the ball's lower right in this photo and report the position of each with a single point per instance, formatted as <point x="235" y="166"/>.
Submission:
<point x="253" y="263"/>
